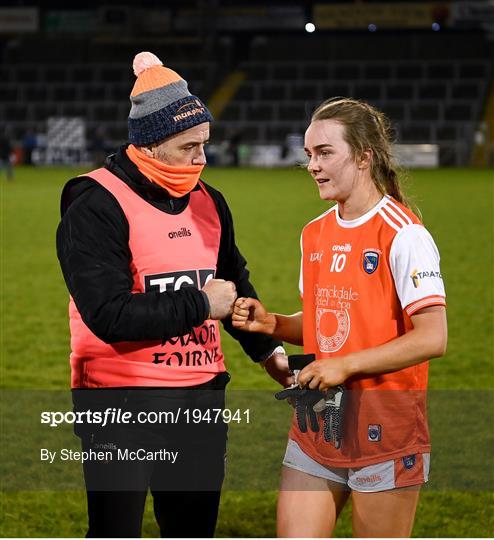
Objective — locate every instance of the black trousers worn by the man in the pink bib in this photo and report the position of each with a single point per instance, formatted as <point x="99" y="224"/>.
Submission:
<point x="180" y="459"/>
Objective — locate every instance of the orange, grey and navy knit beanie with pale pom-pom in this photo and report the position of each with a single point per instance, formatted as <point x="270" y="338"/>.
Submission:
<point x="161" y="103"/>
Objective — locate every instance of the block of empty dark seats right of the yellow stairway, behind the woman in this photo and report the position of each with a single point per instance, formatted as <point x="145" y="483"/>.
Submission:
<point x="434" y="88"/>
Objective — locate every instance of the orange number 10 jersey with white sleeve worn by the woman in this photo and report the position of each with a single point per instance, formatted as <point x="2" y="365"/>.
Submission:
<point x="361" y="280"/>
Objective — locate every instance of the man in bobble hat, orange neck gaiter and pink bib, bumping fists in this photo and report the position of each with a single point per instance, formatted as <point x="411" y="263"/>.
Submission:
<point x="148" y="254"/>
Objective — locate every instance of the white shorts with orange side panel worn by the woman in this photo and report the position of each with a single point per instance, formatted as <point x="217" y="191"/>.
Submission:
<point x="395" y="473"/>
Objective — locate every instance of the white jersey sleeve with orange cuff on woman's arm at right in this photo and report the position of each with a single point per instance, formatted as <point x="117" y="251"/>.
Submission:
<point x="414" y="261"/>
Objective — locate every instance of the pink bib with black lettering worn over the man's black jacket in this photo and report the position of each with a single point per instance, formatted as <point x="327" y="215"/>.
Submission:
<point x="168" y="252"/>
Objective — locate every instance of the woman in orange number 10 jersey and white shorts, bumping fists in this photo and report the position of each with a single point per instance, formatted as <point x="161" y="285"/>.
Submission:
<point x="373" y="314"/>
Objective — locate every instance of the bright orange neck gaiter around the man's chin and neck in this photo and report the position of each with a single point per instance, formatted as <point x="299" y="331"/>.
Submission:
<point x="178" y="181"/>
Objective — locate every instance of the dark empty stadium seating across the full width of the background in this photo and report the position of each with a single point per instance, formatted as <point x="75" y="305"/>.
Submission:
<point x="434" y="86"/>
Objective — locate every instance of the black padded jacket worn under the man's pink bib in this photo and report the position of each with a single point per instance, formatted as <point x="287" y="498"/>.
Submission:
<point x="92" y="246"/>
